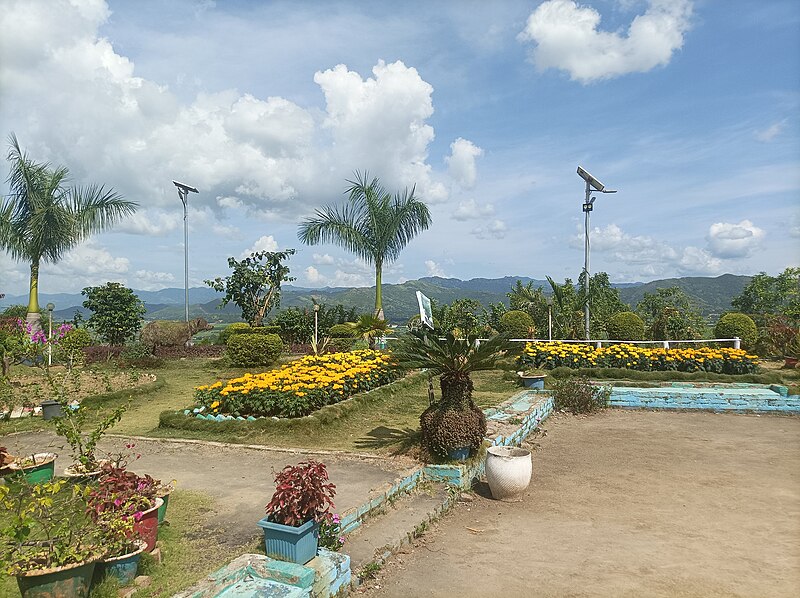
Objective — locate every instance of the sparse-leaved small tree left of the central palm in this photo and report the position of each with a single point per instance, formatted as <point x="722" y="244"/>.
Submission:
<point x="254" y="286"/>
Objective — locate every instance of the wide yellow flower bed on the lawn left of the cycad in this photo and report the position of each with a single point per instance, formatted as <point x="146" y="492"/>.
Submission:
<point x="300" y="387"/>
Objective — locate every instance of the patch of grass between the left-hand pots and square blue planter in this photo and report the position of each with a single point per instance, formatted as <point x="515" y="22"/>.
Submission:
<point x="191" y="548"/>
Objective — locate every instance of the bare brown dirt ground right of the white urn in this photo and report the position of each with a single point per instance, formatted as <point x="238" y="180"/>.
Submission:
<point x="627" y="503"/>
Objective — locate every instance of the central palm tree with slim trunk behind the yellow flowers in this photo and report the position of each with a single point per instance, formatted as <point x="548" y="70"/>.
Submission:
<point x="374" y="225"/>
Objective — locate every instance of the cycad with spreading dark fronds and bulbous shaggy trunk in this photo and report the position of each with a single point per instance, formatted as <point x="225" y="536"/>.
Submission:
<point x="454" y="426"/>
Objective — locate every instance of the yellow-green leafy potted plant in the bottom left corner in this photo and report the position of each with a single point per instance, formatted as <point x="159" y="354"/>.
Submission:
<point x="49" y="543"/>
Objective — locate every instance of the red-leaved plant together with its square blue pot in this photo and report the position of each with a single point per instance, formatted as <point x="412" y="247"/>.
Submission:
<point x="303" y="498"/>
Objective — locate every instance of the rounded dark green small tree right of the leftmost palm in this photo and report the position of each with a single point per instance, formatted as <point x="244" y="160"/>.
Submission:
<point x="117" y="312"/>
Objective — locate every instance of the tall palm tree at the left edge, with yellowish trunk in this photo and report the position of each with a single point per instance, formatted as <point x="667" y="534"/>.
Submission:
<point x="41" y="219"/>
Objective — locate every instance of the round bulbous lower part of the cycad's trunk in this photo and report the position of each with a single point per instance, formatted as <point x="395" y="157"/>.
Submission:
<point x="446" y="430"/>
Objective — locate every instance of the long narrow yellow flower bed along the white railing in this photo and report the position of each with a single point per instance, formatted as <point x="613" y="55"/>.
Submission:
<point x="578" y="355"/>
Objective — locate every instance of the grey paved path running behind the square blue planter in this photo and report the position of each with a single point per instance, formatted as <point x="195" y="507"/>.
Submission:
<point x="239" y="478"/>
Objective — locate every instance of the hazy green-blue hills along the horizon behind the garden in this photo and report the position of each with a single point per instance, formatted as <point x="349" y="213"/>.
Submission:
<point x="711" y="295"/>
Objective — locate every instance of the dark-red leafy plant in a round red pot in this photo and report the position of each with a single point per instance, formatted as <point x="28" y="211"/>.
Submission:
<point x="122" y="493"/>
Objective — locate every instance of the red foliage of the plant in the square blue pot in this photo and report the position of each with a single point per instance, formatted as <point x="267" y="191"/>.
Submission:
<point x="302" y="493"/>
